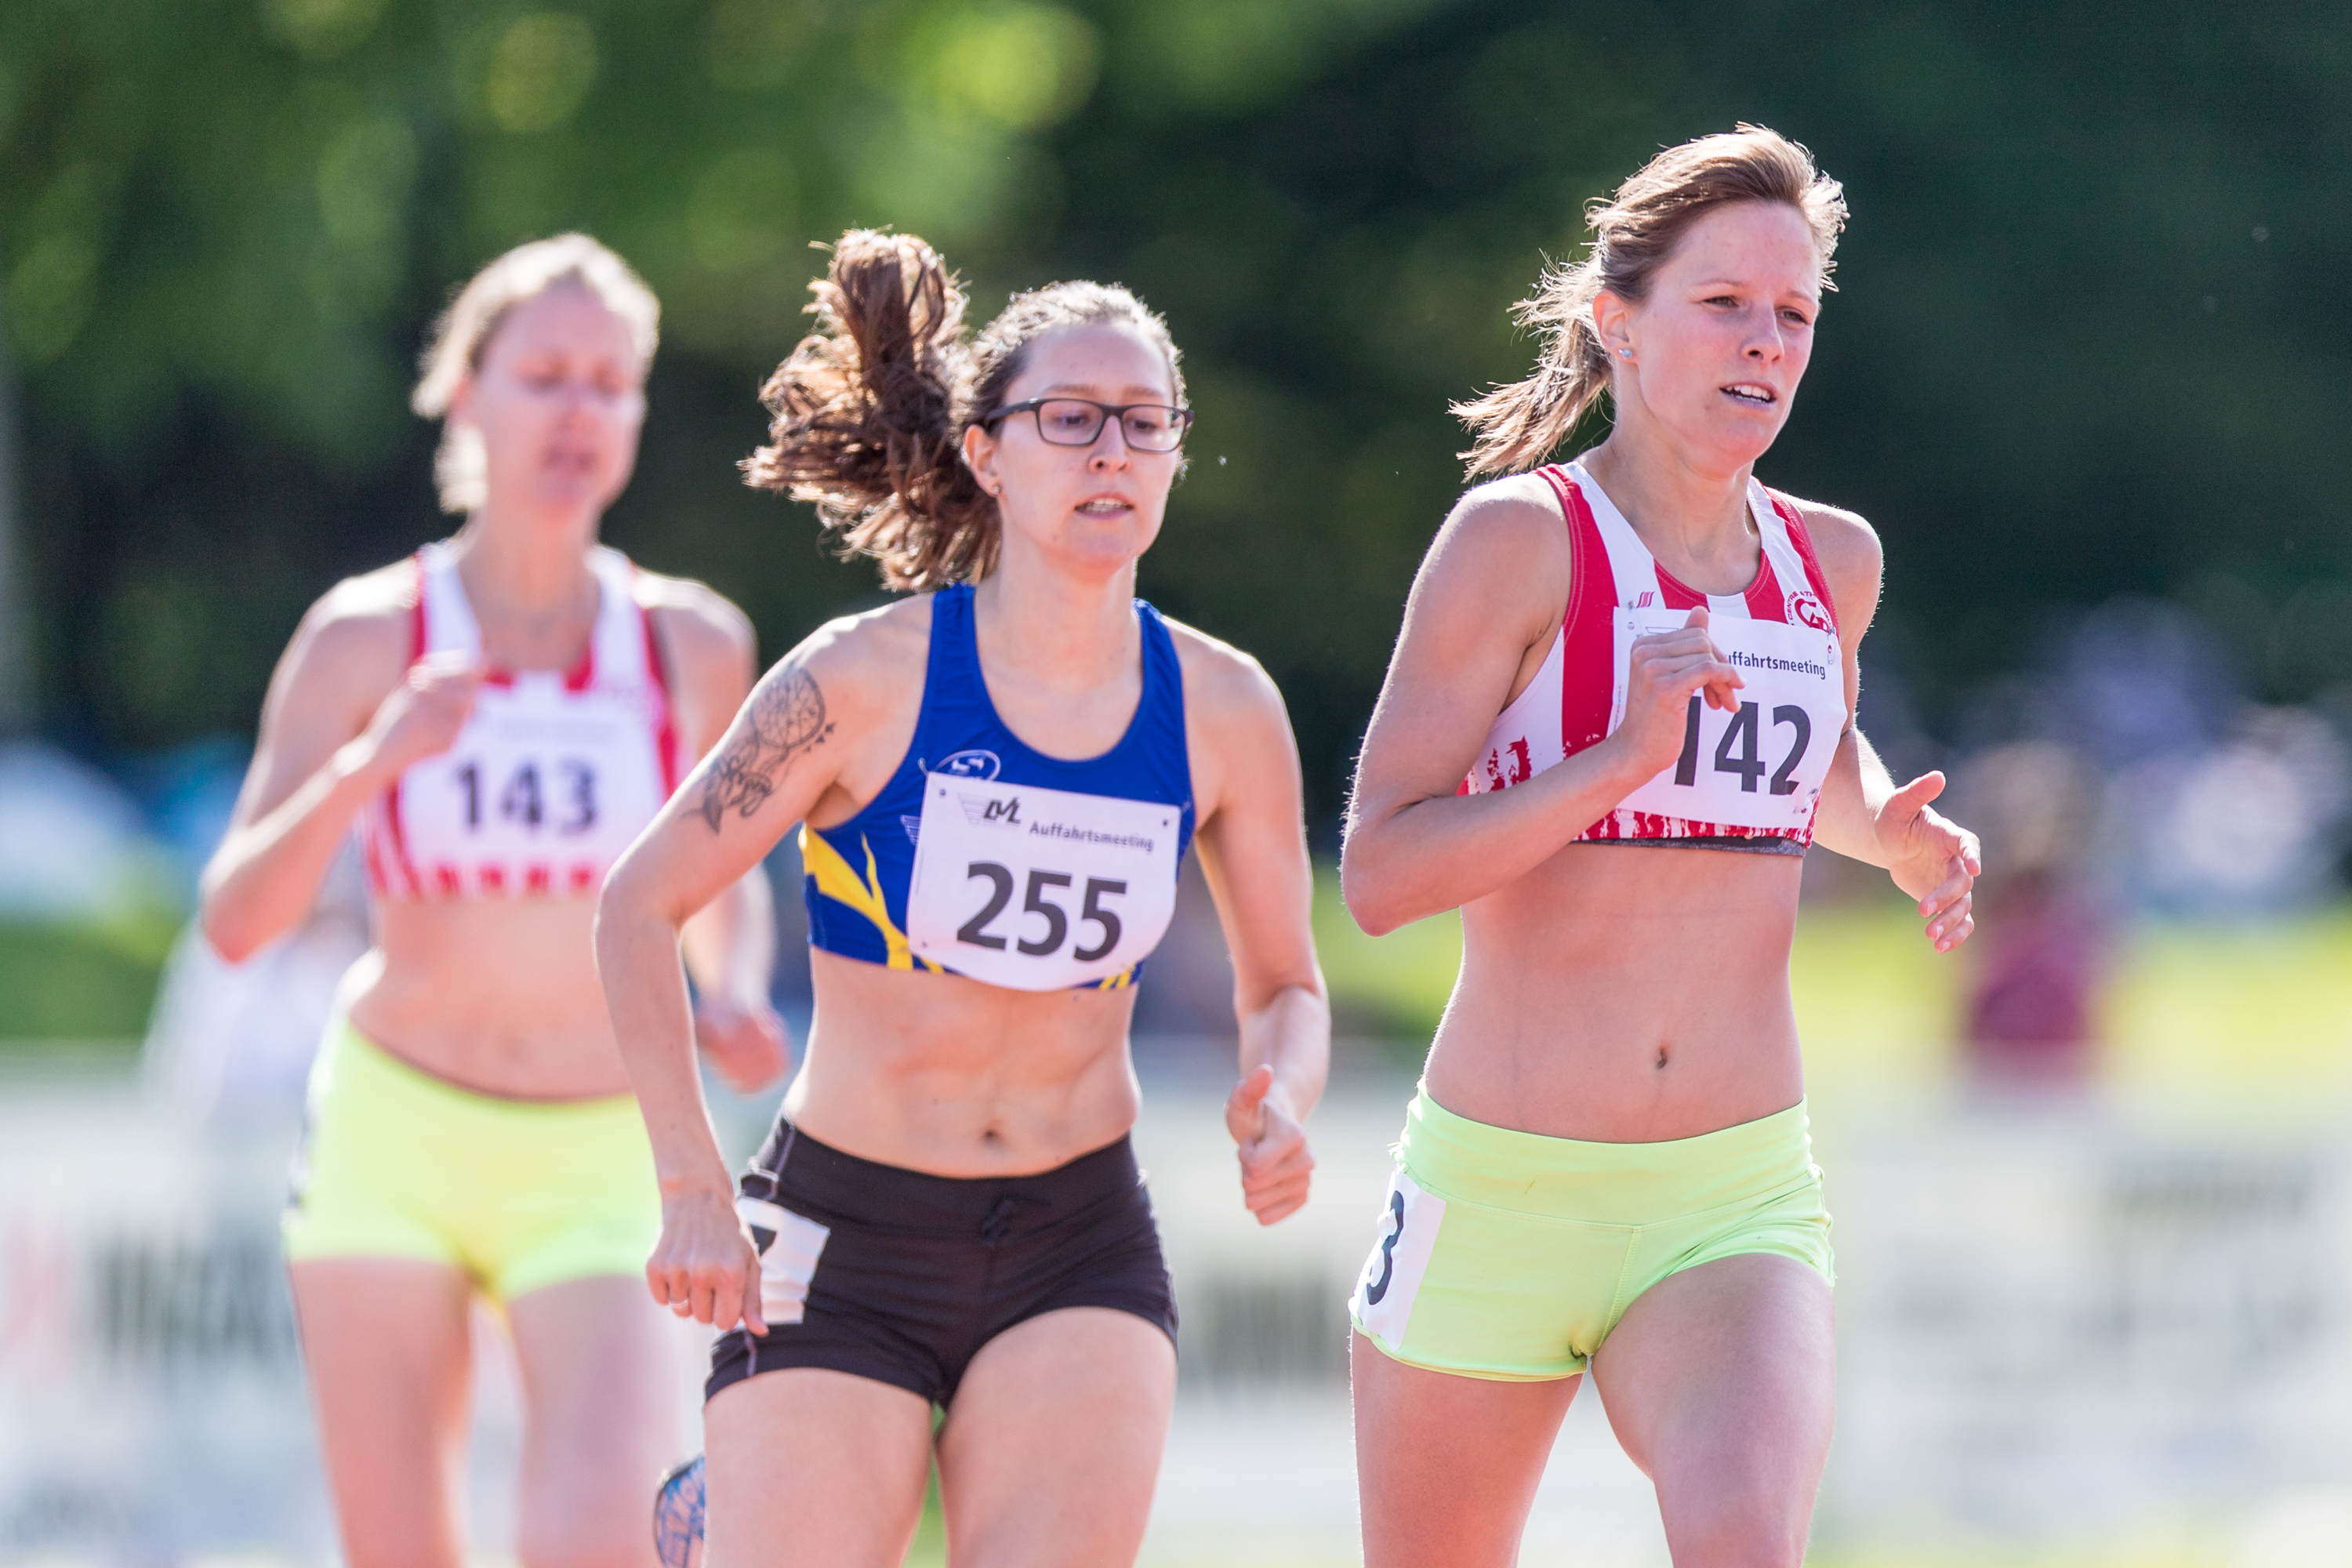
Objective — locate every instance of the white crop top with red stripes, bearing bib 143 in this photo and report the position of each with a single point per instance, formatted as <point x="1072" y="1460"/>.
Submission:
<point x="554" y="772"/>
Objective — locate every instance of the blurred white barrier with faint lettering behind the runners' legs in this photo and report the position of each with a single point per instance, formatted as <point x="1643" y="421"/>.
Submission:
<point x="2064" y="1325"/>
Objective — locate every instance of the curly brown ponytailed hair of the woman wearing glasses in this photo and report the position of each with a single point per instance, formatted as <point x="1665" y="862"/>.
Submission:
<point x="871" y="410"/>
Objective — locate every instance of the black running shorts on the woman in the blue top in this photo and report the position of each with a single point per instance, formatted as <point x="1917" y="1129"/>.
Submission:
<point x="902" y="1278"/>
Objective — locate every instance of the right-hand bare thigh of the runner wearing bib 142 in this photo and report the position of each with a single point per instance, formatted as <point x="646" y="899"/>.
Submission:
<point x="1720" y="1386"/>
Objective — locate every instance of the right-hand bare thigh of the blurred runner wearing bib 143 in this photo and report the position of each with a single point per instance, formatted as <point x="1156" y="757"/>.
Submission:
<point x="601" y="1393"/>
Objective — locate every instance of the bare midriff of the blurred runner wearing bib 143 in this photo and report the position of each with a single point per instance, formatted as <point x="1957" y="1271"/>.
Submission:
<point x="497" y="996"/>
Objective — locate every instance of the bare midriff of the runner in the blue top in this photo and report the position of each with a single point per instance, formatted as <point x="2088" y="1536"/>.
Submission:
<point x="947" y="1076"/>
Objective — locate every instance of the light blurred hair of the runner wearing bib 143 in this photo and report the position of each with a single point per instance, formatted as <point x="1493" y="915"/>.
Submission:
<point x="465" y="330"/>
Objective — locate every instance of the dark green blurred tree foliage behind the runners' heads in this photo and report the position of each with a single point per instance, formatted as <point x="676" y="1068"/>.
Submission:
<point x="2090" y="335"/>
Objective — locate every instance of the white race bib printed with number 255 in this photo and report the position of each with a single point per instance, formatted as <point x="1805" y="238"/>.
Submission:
<point x="1038" y="890"/>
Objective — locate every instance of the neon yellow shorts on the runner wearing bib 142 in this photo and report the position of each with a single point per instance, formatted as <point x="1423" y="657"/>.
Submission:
<point x="1511" y="1257"/>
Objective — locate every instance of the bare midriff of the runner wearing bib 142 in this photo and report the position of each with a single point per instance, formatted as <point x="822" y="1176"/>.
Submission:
<point x="1626" y="993"/>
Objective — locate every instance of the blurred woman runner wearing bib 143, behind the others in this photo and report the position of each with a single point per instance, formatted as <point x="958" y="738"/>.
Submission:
<point x="502" y="716"/>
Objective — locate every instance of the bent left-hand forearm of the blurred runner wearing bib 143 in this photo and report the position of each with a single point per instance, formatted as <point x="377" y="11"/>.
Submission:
<point x="267" y="873"/>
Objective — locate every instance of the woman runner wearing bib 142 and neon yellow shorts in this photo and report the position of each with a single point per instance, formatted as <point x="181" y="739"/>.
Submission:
<point x="1608" y="1165"/>
